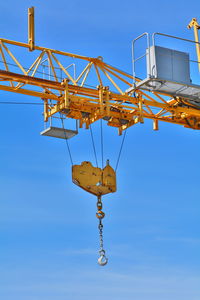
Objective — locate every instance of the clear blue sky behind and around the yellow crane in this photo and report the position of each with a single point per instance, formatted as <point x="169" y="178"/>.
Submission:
<point x="48" y="229"/>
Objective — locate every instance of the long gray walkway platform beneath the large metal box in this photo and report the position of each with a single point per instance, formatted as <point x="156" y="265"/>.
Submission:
<point x="173" y="88"/>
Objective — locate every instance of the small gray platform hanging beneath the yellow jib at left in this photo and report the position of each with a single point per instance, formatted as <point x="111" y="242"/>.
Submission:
<point x="59" y="132"/>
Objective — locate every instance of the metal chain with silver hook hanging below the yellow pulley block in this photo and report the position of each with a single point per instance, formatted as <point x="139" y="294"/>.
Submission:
<point x="102" y="260"/>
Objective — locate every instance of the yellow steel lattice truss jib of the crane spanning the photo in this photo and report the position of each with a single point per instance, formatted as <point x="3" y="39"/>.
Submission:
<point x="71" y="97"/>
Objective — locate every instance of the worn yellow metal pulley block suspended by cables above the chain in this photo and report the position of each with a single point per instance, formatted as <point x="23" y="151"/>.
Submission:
<point x="94" y="180"/>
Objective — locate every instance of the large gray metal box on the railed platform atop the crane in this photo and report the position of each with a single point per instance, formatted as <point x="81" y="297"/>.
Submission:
<point x="168" y="64"/>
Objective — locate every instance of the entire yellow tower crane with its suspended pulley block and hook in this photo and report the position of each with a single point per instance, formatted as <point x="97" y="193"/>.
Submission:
<point x="120" y="99"/>
